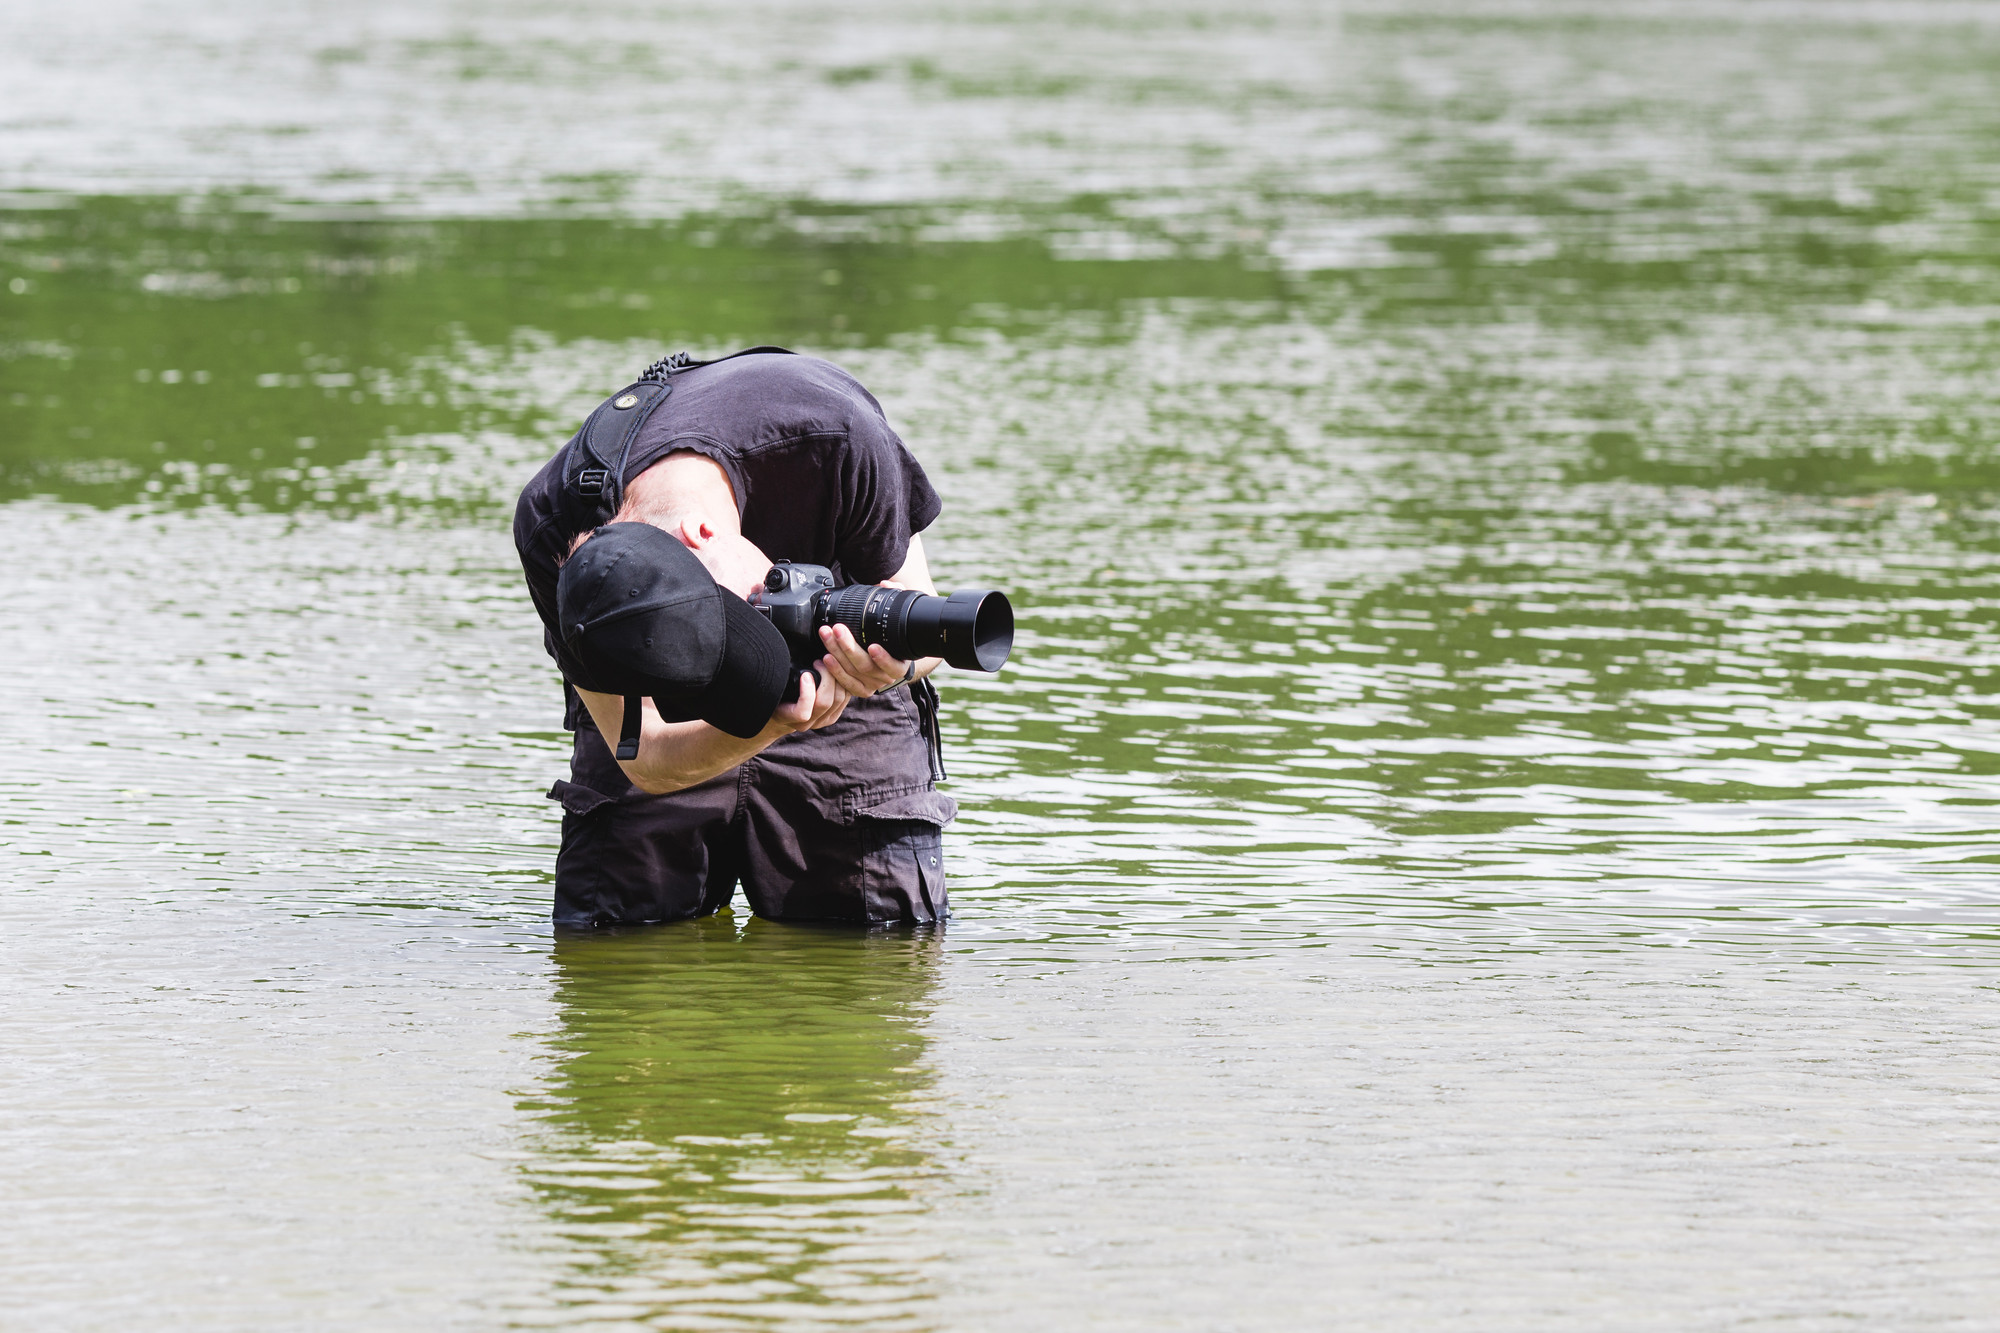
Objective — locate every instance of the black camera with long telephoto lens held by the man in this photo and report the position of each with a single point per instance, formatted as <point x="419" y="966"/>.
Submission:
<point x="971" y="629"/>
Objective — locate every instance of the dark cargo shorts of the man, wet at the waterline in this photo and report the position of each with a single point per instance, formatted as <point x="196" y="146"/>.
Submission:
<point x="825" y="826"/>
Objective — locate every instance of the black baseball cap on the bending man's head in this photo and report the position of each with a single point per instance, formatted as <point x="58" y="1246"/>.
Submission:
<point x="643" y="617"/>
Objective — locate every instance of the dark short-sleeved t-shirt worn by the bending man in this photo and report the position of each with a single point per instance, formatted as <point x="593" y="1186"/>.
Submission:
<point x="819" y="475"/>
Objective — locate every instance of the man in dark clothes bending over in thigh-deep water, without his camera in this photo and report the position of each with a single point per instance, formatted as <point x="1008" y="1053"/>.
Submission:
<point x="827" y="810"/>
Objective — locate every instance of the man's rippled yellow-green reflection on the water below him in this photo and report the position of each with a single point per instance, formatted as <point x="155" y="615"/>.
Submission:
<point x="735" y="1128"/>
